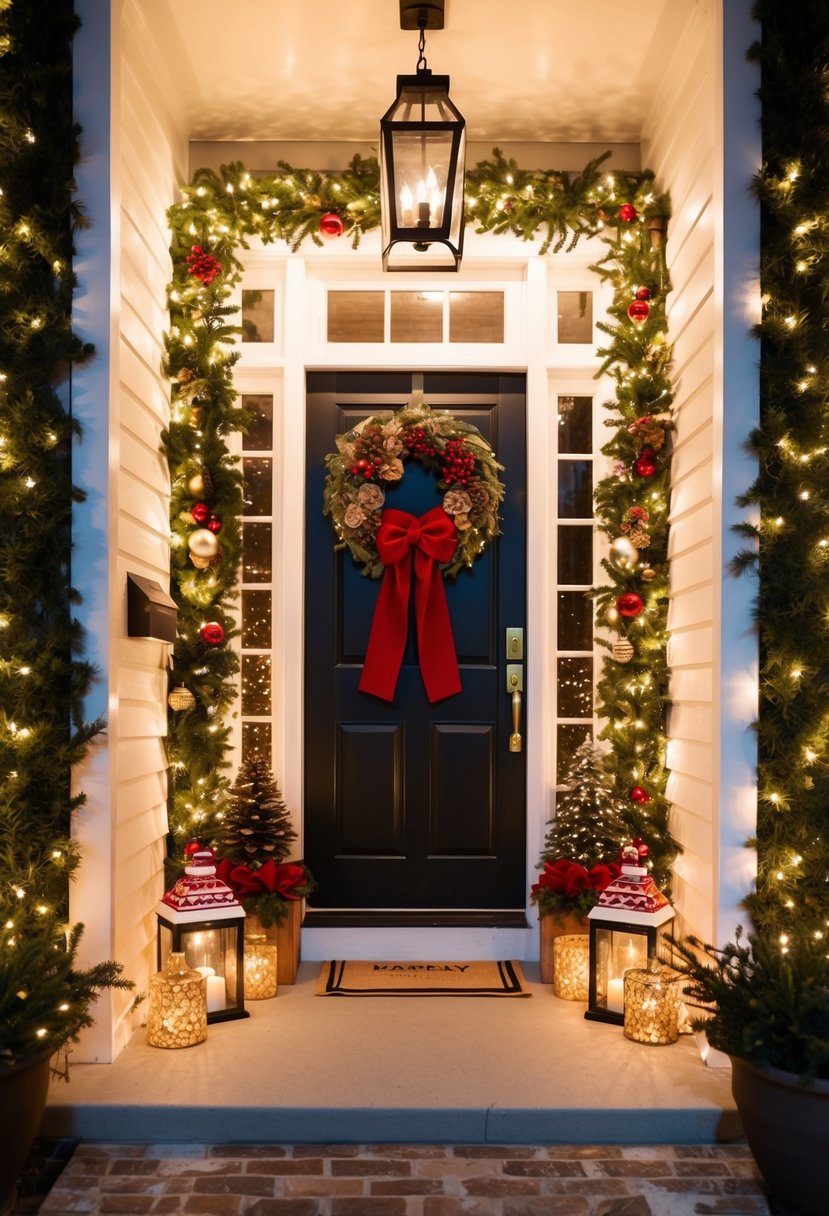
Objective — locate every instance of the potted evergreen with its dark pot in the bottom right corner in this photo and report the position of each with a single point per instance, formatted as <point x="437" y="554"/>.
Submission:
<point x="766" y="1005"/>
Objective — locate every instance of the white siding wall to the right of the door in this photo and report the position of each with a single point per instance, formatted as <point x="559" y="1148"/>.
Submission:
<point x="691" y="142"/>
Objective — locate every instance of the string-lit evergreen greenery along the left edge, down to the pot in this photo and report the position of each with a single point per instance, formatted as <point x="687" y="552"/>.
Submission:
<point x="44" y="1000"/>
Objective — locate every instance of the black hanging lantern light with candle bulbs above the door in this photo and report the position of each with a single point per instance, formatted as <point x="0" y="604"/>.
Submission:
<point x="422" y="164"/>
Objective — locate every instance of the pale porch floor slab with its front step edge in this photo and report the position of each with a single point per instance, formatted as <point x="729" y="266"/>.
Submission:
<point x="307" y="1069"/>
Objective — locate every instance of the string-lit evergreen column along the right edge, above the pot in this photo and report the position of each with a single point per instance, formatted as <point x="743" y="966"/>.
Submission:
<point x="791" y="544"/>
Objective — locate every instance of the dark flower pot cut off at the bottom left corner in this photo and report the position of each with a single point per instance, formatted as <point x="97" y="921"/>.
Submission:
<point x="22" y="1101"/>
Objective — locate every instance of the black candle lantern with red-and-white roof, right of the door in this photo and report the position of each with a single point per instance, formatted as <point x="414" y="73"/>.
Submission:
<point x="624" y="930"/>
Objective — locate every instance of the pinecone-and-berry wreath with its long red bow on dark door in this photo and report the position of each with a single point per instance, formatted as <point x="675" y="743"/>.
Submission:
<point x="413" y="551"/>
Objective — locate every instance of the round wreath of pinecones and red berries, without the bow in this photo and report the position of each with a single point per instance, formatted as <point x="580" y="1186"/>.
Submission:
<point x="374" y="457"/>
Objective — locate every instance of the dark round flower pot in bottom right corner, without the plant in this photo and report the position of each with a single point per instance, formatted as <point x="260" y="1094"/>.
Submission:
<point x="787" y="1127"/>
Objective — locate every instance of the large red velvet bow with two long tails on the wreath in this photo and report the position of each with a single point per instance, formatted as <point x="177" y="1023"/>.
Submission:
<point x="405" y="542"/>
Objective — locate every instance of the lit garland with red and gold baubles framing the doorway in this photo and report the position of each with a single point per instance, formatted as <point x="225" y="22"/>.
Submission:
<point x="219" y="213"/>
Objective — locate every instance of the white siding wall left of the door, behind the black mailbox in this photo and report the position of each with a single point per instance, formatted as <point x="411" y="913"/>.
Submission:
<point x="122" y="831"/>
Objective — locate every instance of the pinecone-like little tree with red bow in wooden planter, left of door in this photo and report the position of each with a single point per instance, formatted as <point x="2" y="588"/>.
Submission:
<point x="256" y="838"/>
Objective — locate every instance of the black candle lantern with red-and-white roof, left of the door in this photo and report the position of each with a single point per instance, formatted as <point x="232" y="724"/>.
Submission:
<point x="201" y="919"/>
